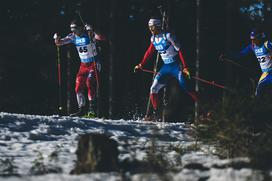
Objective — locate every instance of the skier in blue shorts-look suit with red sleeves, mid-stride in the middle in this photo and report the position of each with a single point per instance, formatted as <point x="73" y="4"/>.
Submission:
<point x="173" y="62"/>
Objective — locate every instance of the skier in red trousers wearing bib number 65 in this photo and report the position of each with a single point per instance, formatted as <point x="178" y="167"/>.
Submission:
<point x="87" y="76"/>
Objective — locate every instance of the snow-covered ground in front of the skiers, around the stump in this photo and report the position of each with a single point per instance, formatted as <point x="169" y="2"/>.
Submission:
<point x="30" y="144"/>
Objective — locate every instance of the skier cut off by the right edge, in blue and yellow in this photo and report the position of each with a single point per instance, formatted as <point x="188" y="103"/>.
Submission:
<point x="262" y="48"/>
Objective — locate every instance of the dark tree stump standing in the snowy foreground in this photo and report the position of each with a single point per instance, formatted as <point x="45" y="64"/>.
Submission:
<point x="96" y="153"/>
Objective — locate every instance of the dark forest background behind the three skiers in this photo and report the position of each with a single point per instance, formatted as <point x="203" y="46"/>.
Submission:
<point x="28" y="58"/>
